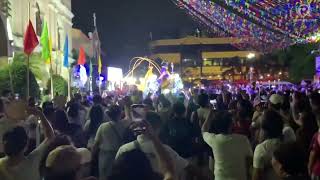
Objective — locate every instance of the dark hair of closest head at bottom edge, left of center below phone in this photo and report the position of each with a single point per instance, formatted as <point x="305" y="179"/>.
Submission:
<point x="125" y="168"/>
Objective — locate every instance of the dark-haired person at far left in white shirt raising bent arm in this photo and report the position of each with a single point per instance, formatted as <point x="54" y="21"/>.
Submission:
<point x="15" y="165"/>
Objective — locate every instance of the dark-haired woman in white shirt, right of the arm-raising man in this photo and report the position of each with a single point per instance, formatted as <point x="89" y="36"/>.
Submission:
<point x="271" y="128"/>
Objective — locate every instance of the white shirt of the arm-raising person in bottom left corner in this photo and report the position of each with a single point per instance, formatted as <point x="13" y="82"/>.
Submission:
<point x="28" y="169"/>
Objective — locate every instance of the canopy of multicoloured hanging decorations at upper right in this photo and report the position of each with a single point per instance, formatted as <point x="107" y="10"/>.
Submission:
<point x="261" y="24"/>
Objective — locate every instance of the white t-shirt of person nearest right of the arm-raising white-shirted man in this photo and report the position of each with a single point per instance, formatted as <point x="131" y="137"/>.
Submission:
<point x="263" y="155"/>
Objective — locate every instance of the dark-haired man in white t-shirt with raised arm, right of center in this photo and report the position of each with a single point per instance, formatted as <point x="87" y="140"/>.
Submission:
<point x="232" y="152"/>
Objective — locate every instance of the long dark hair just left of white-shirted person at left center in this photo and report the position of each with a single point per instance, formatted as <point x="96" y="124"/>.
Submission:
<point x="96" y="118"/>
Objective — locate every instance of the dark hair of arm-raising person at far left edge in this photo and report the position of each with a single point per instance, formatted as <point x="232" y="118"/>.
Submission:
<point x="15" y="141"/>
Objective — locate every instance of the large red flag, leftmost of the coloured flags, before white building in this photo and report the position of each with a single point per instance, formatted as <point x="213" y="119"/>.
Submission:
<point x="30" y="39"/>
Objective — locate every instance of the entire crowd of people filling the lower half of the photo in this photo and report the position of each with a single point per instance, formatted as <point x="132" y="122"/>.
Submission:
<point x="267" y="135"/>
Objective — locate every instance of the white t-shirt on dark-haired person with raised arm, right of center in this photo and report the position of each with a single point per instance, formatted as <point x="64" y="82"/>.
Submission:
<point x="230" y="153"/>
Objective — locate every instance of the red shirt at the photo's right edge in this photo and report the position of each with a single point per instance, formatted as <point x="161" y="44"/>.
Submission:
<point x="315" y="146"/>
